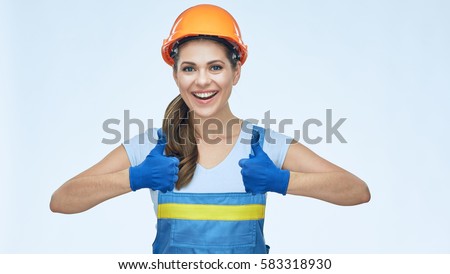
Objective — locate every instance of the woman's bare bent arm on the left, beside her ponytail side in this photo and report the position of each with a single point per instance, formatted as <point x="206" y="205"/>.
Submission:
<point x="106" y="179"/>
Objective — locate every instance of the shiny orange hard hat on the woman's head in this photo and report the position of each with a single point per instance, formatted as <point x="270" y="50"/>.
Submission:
<point x="204" y="20"/>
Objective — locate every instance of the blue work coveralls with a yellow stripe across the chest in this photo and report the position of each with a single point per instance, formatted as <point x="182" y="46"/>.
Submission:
<point x="225" y="223"/>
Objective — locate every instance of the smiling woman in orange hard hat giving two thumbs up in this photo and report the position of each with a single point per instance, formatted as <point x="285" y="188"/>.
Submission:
<point x="209" y="171"/>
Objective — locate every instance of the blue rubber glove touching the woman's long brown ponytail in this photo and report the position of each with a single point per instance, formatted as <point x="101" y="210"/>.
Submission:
<point x="157" y="171"/>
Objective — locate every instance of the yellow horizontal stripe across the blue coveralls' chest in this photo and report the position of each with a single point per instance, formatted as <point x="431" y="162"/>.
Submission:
<point x="211" y="212"/>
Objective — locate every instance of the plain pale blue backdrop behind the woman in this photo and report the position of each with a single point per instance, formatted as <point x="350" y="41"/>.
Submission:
<point x="67" y="66"/>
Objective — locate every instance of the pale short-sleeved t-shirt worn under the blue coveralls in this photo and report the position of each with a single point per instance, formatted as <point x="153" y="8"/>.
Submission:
<point x="222" y="178"/>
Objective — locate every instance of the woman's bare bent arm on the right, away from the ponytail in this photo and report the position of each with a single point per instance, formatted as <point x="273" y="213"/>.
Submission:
<point x="315" y="177"/>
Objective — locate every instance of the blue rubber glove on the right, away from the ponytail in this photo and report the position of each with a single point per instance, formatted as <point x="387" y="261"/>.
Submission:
<point x="260" y="174"/>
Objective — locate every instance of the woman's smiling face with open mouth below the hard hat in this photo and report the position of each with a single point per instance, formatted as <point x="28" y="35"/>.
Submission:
<point x="205" y="78"/>
